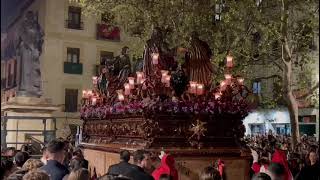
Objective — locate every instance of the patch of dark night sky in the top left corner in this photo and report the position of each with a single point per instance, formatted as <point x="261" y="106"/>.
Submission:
<point x="10" y="10"/>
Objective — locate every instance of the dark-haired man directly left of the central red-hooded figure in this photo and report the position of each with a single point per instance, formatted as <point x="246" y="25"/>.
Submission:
<point x="142" y="161"/>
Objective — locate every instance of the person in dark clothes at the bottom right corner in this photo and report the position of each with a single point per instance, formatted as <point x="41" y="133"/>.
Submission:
<point x="312" y="170"/>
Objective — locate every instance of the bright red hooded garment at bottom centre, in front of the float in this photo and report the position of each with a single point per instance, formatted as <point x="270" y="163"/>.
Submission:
<point x="166" y="167"/>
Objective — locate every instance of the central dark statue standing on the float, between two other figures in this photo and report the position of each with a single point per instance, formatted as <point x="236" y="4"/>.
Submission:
<point x="157" y="45"/>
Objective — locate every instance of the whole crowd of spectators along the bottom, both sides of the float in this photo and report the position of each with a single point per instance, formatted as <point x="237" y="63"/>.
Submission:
<point x="273" y="159"/>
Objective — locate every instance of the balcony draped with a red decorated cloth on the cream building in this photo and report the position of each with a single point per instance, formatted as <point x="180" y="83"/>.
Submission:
<point x="107" y="32"/>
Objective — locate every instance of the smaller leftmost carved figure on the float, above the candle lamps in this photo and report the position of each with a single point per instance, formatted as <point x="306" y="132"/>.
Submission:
<point x="122" y="66"/>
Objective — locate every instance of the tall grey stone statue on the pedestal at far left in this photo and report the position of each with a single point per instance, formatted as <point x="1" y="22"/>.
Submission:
<point x="29" y="49"/>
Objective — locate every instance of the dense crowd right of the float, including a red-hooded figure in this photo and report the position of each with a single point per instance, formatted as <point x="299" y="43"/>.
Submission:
<point x="275" y="153"/>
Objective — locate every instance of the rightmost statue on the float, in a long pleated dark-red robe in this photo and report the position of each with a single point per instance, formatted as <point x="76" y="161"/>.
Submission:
<point x="197" y="61"/>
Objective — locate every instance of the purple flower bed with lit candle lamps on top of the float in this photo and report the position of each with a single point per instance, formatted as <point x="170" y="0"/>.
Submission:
<point x="158" y="93"/>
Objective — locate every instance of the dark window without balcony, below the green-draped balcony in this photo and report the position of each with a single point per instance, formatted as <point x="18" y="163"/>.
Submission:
<point x="71" y="100"/>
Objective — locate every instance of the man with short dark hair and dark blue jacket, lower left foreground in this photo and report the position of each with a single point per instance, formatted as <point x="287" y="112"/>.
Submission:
<point x="56" y="155"/>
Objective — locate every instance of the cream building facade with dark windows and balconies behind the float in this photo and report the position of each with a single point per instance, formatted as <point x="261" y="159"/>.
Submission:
<point x="74" y="46"/>
